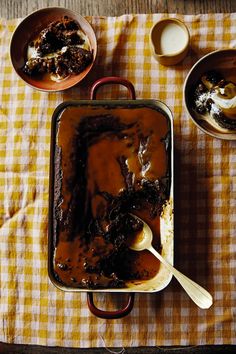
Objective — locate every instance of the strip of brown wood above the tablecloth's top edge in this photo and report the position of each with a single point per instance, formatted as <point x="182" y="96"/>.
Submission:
<point x="12" y="8"/>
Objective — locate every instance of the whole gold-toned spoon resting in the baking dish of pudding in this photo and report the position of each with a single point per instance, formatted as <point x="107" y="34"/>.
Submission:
<point x="143" y="241"/>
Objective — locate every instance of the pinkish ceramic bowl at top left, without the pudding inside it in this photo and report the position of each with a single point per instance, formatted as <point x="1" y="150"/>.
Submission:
<point x="28" y="29"/>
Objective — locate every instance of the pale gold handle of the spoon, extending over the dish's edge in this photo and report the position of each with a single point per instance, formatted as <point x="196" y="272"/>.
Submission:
<point x="199" y="295"/>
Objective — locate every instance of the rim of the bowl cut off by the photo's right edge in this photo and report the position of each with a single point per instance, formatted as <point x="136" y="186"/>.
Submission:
<point x="220" y="135"/>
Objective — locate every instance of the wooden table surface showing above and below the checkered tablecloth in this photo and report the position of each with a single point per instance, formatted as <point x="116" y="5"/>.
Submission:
<point x="20" y="8"/>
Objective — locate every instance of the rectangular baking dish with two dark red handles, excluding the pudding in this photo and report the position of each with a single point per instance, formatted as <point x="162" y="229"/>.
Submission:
<point x="163" y="277"/>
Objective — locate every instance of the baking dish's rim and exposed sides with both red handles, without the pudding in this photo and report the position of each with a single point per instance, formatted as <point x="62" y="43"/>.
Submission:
<point x="166" y="233"/>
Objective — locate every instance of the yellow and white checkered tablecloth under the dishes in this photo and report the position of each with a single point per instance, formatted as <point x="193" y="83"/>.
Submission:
<point x="32" y="310"/>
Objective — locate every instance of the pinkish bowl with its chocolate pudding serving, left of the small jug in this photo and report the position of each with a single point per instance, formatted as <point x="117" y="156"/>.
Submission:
<point x="53" y="49"/>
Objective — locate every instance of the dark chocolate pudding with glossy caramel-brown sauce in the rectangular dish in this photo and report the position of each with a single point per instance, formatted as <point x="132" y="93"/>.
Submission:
<point x="109" y="162"/>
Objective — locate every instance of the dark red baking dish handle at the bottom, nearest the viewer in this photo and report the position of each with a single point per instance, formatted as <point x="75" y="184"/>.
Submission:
<point x="110" y="314"/>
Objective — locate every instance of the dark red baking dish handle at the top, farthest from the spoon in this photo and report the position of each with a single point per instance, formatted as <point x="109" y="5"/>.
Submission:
<point x="112" y="80"/>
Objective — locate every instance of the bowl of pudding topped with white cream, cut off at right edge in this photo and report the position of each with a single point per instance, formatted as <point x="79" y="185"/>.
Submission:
<point x="210" y="94"/>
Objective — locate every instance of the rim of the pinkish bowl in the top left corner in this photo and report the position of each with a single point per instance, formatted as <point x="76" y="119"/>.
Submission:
<point x="49" y="9"/>
